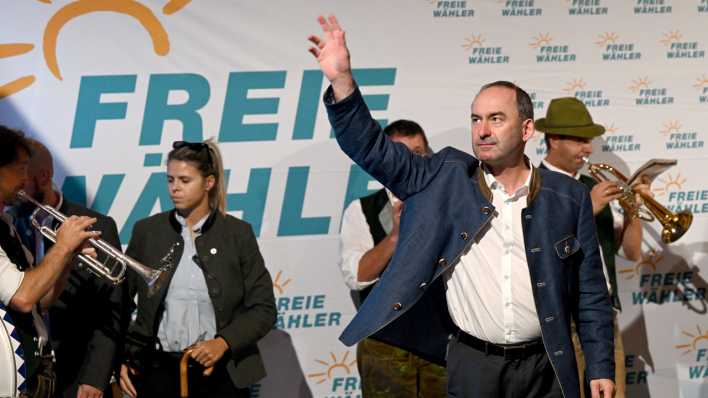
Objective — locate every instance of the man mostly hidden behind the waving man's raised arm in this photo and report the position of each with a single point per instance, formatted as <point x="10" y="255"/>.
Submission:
<point x="369" y="236"/>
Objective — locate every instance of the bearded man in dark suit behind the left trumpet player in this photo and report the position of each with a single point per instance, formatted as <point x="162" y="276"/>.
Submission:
<point x="84" y="321"/>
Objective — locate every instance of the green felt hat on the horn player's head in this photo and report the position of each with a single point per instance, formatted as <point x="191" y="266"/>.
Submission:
<point x="569" y="116"/>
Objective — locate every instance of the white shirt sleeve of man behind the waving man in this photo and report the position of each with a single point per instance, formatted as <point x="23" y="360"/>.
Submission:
<point x="355" y="240"/>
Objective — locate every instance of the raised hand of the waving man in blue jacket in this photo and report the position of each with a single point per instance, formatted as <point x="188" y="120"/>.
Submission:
<point x="333" y="56"/>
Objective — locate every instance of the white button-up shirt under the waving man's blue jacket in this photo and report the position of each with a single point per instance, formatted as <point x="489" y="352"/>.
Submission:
<point x="489" y="292"/>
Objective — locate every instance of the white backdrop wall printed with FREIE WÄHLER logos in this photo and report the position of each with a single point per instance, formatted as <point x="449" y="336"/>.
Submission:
<point x="108" y="85"/>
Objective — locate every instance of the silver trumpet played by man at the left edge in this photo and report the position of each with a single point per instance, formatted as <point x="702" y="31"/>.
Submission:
<point x="115" y="273"/>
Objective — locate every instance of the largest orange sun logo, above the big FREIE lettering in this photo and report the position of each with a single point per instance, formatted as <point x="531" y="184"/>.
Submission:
<point x="75" y="9"/>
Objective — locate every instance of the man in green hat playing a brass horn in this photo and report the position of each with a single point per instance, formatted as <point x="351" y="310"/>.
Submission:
<point x="570" y="130"/>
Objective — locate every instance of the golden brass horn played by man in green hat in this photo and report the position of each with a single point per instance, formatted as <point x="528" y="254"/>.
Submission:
<point x="674" y="224"/>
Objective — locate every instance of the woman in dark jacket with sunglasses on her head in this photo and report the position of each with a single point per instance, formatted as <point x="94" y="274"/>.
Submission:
<point x="214" y="298"/>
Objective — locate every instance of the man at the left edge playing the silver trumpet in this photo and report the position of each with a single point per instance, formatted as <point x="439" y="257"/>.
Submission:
<point x="27" y="284"/>
